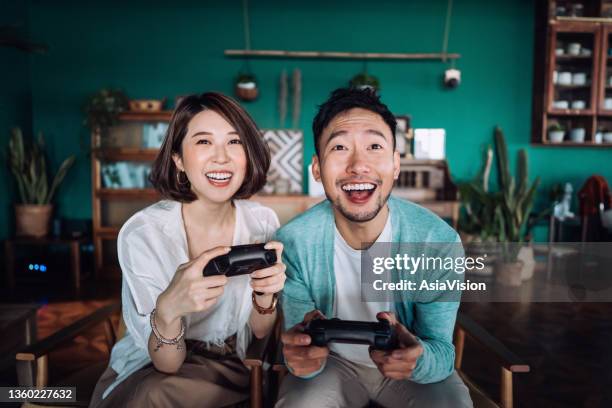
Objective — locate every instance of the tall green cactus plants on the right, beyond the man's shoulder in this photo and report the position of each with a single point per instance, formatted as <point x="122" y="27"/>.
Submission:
<point x="500" y="216"/>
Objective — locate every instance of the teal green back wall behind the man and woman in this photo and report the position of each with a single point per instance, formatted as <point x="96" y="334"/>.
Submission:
<point x="156" y="49"/>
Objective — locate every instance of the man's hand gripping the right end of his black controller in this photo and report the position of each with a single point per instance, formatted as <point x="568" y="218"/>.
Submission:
<point x="397" y="364"/>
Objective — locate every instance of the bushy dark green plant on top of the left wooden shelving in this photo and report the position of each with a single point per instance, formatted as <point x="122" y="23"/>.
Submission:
<point x="102" y="109"/>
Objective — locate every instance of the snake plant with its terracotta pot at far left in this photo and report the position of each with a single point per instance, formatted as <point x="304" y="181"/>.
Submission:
<point x="29" y="166"/>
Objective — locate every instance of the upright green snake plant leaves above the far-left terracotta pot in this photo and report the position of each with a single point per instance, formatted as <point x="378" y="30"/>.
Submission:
<point x="29" y="166"/>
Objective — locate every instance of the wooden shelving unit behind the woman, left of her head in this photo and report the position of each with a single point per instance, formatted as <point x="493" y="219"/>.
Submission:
<point x="121" y="160"/>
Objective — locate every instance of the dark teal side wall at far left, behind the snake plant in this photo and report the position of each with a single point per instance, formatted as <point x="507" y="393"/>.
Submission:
<point x="15" y="105"/>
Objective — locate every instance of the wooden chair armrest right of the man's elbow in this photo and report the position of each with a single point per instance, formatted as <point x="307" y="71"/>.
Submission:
<point x="505" y="357"/>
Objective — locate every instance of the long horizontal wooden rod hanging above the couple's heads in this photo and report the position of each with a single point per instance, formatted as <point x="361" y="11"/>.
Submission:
<point x="340" y="55"/>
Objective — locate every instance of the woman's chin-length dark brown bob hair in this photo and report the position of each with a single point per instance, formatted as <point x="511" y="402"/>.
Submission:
<point x="164" y="172"/>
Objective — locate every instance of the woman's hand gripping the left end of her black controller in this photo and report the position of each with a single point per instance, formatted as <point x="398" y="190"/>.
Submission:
<point x="189" y="291"/>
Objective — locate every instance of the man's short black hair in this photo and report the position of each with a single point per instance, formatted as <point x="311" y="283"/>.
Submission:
<point x="344" y="99"/>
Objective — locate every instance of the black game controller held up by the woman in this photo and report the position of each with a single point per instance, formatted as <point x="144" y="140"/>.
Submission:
<point x="241" y="260"/>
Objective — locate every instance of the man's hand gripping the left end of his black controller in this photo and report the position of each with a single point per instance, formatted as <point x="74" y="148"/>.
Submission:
<point x="302" y="358"/>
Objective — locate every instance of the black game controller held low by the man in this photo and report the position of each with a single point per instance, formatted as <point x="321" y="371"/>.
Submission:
<point x="379" y="335"/>
